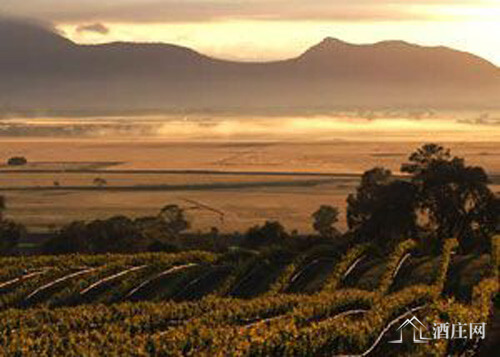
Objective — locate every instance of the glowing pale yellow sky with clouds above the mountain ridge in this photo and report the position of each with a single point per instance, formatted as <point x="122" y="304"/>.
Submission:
<point x="271" y="29"/>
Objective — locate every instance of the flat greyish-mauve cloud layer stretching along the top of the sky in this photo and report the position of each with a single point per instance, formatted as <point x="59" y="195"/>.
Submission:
<point x="219" y="10"/>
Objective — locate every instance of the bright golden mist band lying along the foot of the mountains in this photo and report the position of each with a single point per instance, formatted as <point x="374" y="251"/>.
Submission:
<point x="353" y="126"/>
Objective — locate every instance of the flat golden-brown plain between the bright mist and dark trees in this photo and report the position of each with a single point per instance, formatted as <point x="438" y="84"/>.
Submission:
<point x="250" y="181"/>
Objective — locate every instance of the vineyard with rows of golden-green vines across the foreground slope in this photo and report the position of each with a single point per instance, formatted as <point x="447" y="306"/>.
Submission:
<point x="317" y="303"/>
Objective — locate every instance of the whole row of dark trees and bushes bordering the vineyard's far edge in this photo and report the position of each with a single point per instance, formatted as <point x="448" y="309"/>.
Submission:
<point x="438" y="197"/>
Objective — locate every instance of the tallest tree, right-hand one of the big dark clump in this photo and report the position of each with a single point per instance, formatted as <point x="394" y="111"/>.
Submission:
<point x="453" y="198"/>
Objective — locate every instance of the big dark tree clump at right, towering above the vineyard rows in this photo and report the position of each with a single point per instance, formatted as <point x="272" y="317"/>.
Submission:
<point x="442" y="197"/>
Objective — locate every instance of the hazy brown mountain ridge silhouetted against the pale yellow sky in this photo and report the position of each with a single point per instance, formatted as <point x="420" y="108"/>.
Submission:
<point x="41" y="70"/>
